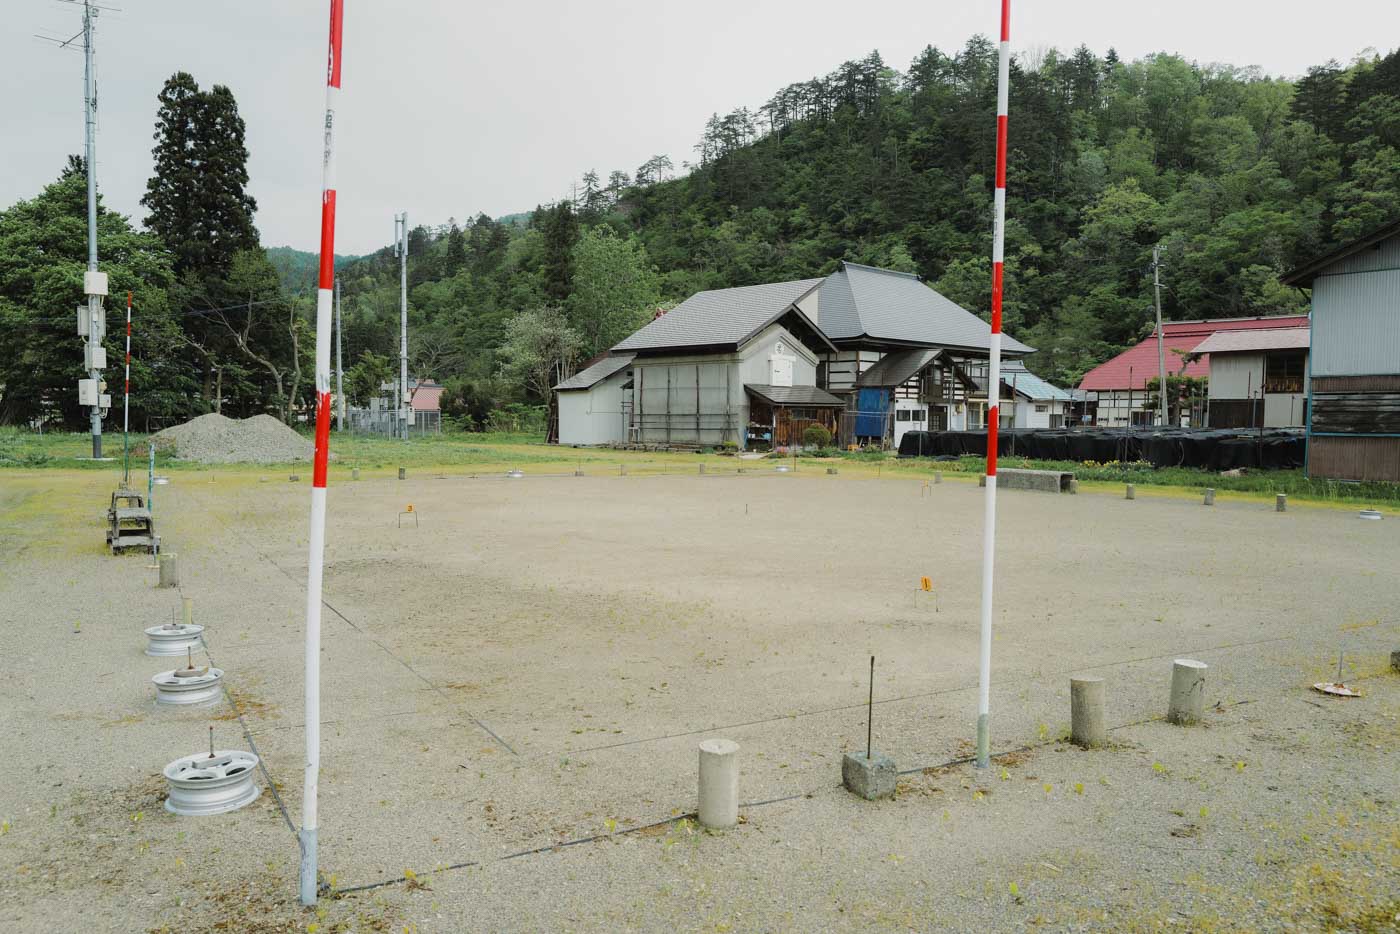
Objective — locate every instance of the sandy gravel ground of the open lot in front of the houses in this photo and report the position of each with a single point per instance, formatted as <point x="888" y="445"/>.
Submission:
<point x="534" y="663"/>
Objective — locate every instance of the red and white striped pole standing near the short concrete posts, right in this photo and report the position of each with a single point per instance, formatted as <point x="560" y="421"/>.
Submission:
<point x="989" y="543"/>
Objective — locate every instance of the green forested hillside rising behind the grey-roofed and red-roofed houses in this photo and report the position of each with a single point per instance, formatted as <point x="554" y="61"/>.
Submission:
<point x="1235" y="174"/>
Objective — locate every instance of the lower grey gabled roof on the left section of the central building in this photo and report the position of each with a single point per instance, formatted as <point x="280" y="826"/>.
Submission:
<point x="720" y="317"/>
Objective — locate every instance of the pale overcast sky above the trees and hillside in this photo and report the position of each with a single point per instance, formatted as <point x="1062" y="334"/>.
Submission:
<point x="453" y="107"/>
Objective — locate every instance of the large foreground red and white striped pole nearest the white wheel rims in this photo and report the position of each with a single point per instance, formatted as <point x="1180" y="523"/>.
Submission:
<point x="318" y="475"/>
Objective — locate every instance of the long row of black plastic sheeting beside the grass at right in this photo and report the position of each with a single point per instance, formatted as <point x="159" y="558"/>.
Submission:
<point x="1209" y="449"/>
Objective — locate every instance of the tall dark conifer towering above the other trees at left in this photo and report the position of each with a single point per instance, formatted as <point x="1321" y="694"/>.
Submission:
<point x="197" y="198"/>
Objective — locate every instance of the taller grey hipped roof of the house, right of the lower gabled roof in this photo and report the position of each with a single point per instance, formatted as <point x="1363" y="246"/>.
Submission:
<point x="864" y="302"/>
